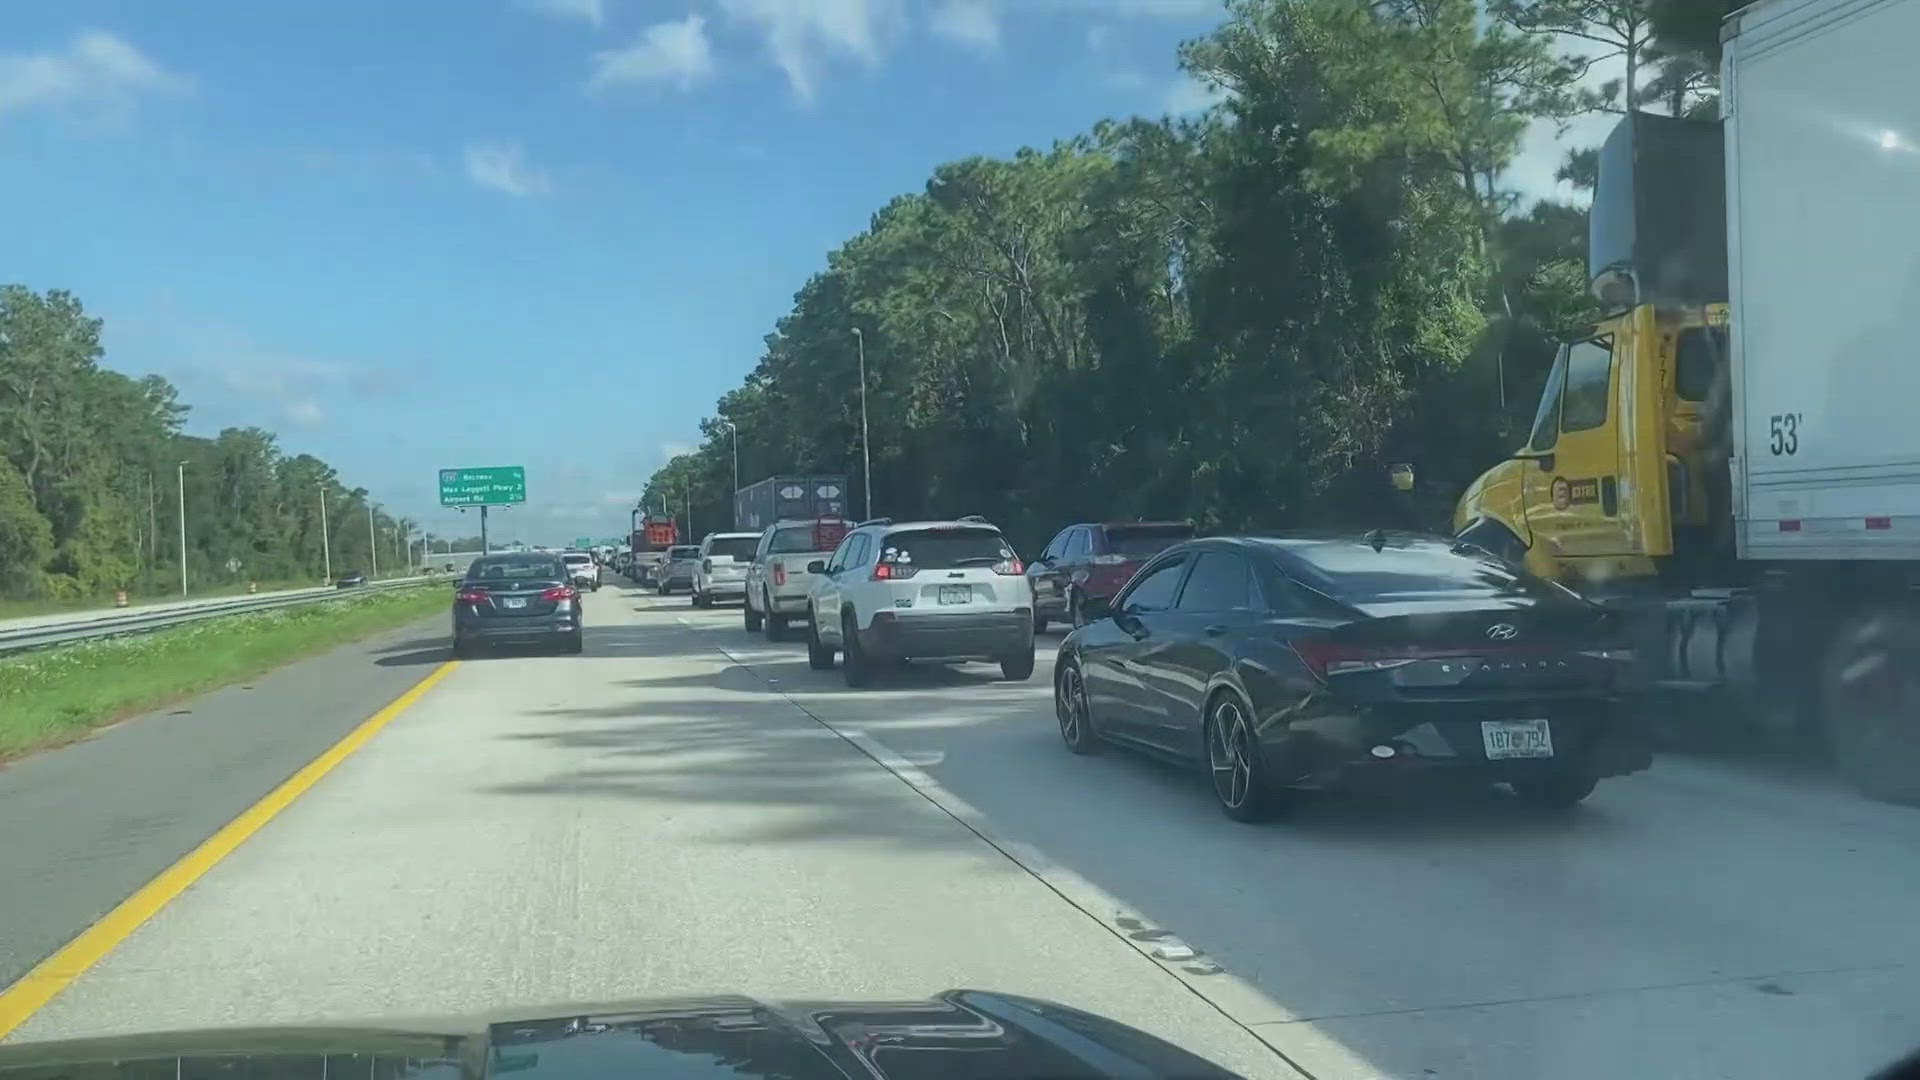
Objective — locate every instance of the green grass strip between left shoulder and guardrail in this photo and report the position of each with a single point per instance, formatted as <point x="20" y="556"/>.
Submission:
<point x="59" y="695"/>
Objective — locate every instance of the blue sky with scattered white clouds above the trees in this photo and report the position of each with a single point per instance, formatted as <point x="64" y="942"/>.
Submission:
<point x="396" y="232"/>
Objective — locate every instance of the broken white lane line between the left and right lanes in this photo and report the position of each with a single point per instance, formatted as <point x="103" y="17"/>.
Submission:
<point x="1230" y="994"/>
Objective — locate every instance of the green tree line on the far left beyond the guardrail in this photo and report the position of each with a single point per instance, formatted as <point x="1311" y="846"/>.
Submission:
<point x="93" y="466"/>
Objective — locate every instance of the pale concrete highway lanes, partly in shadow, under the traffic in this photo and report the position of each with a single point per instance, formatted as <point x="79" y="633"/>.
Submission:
<point x="690" y="810"/>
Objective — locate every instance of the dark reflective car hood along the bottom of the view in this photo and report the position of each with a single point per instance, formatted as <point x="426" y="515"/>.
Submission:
<point x="963" y="1033"/>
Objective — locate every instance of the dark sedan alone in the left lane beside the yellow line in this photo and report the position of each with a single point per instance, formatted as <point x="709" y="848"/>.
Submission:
<point x="523" y="599"/>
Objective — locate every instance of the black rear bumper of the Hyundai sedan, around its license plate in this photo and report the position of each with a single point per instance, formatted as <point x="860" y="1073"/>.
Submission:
<point x="1600" y="739"/>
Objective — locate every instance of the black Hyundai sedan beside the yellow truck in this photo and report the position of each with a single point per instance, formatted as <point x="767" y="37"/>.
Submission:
<point x="1316" y="662"/>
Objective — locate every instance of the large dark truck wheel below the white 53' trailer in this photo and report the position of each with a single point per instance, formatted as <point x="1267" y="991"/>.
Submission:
<point x="1871" y="700"/>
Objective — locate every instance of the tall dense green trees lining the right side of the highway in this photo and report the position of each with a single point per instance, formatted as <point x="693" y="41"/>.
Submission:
<point x="1239" y="318"/>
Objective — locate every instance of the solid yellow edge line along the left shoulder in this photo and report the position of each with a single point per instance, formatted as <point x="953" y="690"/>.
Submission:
<point x="55" y="973"/>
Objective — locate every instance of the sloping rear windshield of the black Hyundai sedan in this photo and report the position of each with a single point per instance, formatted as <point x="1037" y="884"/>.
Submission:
<point x="1412" y="572"/>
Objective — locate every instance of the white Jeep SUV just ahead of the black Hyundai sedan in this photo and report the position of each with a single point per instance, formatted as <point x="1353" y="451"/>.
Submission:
<point x="936" y="591"/>
